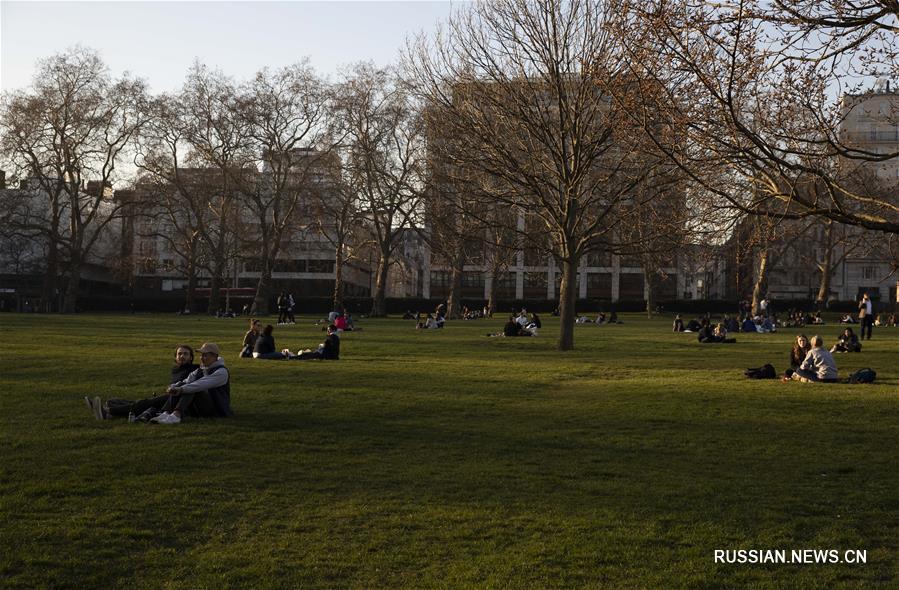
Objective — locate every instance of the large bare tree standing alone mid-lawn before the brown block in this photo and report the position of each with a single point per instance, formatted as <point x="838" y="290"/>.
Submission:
<point x="527" y="91"/>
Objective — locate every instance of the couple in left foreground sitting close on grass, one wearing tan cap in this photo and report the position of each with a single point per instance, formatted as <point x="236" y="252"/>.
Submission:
<point x="202" y="390"/>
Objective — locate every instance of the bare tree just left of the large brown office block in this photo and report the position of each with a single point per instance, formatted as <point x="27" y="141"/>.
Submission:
<point x="383" y="153"/>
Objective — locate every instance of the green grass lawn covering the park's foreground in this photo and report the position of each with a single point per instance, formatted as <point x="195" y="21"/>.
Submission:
<point x="442" y="459"/>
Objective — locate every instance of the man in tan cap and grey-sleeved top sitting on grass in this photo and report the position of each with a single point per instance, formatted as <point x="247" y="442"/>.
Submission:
<point x="206" y="392"/>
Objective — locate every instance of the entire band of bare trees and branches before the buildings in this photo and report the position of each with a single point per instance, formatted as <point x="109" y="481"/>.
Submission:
<point x="607" y="126"/>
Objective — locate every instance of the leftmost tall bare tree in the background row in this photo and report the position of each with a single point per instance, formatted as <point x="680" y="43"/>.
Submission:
<point x="70" y="127"/>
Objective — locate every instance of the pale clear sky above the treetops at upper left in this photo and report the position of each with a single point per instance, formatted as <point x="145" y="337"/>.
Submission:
<point x="158" y="41"/>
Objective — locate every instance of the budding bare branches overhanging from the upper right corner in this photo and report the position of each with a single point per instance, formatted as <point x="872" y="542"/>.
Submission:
<point x="767" y="93"/>
